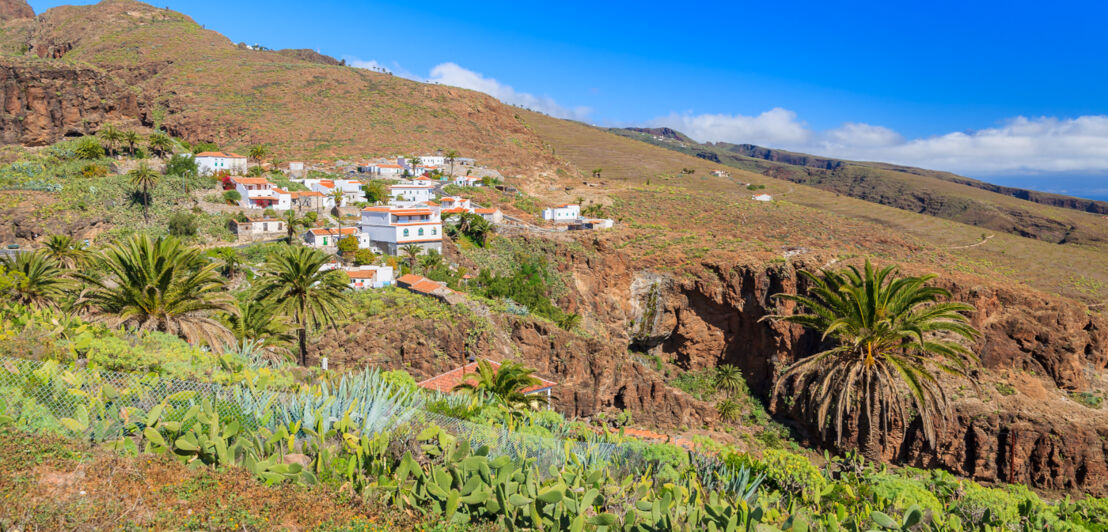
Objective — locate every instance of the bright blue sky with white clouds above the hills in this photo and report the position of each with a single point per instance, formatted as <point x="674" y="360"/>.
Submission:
<point x="987" y="89"/>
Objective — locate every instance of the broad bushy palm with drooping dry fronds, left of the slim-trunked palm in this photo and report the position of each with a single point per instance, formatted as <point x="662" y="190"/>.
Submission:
<point x="161" y="285"/>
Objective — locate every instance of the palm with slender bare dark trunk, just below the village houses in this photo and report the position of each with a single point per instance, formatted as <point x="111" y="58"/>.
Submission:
<point x="310" y="298"/>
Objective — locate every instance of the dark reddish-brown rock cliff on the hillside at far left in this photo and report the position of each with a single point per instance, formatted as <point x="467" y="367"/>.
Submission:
<point x="44" y="103"/>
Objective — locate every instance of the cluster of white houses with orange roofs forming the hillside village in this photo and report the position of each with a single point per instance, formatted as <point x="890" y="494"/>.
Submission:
<point x="405" y="217"/>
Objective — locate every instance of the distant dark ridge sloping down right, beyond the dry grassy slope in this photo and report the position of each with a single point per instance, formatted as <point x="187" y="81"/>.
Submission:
<point x="1045" y="217"/>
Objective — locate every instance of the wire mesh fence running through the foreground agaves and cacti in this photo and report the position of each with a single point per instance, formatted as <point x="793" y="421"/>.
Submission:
<point x="44" y="394"/>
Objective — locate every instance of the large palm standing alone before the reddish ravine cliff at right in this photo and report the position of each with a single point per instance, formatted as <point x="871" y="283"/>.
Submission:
<point x="883" y="333"/>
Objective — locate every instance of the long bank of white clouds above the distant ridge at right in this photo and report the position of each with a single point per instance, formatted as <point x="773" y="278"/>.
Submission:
<point x="1020" y="146"/>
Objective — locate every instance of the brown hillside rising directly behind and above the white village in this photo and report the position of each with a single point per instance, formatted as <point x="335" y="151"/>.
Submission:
<point x="66" y="71"/>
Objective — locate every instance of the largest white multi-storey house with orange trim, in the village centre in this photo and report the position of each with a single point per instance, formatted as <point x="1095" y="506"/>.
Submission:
<point x="392" y="228"/>
